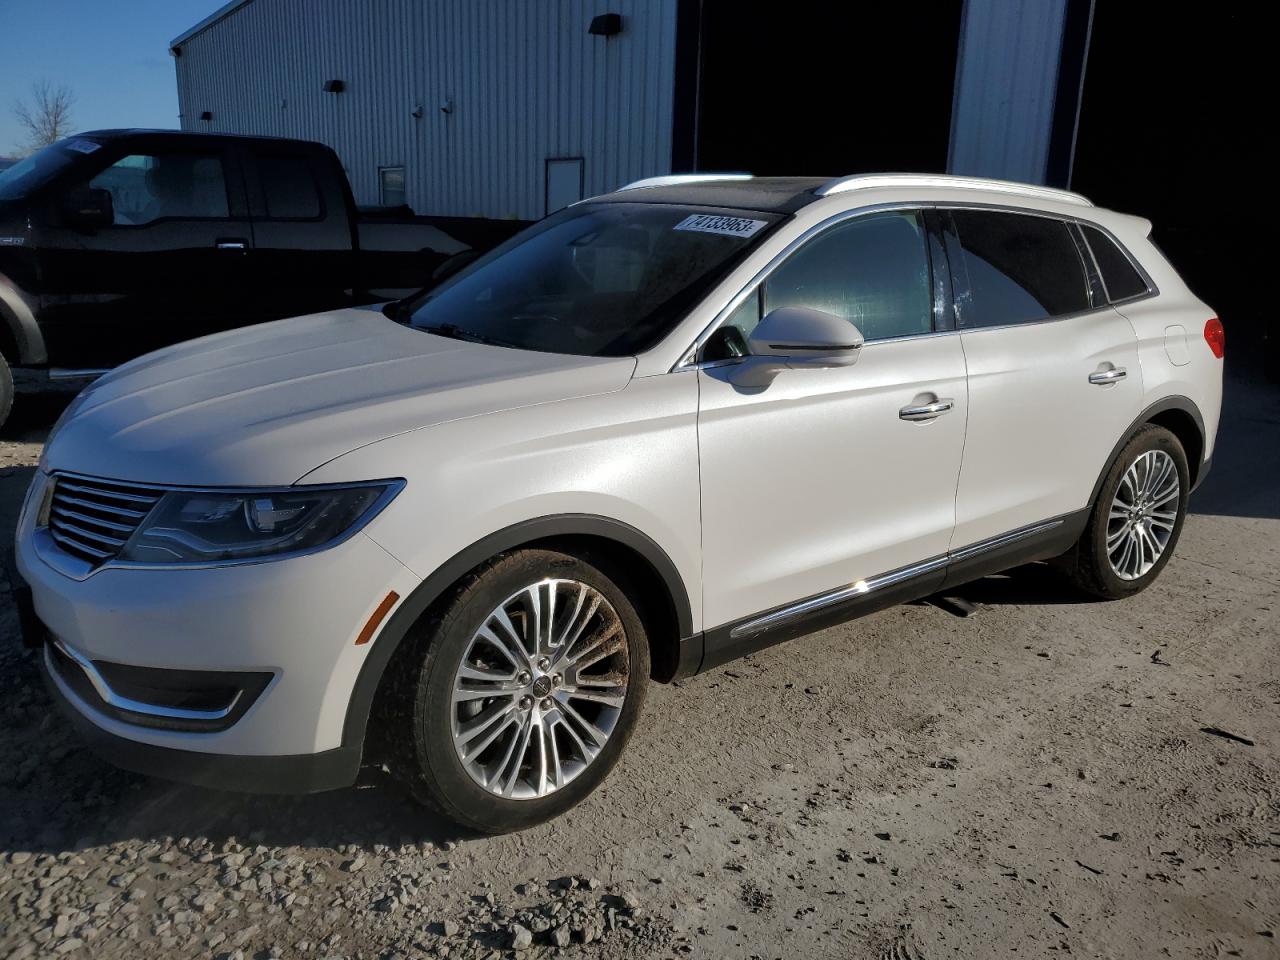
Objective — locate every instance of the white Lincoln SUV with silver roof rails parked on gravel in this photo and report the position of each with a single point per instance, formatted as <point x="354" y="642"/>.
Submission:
<point x="659" y="431"/>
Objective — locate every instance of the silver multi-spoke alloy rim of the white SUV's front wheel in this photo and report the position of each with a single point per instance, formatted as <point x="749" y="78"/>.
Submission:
<point x="541" y="688"/>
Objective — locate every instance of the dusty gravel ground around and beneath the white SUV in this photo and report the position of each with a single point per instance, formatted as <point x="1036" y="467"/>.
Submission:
<point x="1036" y="780"/>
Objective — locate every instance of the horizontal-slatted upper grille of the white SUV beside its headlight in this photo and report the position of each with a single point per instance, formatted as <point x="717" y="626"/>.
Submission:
<point x="94" y="519"/>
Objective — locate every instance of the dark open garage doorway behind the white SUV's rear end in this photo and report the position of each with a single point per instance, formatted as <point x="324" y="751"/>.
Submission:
<point x="1173" y="126"/>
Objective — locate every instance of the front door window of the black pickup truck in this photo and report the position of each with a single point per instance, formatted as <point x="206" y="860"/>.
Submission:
<point x="148" y="188"/>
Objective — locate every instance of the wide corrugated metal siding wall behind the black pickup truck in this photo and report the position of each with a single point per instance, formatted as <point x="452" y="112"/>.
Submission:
<point x="527" y="80"/>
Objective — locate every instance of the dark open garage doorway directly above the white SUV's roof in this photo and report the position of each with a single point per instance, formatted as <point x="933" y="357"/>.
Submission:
<point x="824" y="89"/>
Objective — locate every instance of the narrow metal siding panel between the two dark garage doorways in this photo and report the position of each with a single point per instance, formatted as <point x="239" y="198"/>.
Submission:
<point x="1005" y="89"/>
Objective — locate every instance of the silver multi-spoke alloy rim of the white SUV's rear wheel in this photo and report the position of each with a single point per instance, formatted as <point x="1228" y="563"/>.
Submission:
<point x="1144" y="515"/>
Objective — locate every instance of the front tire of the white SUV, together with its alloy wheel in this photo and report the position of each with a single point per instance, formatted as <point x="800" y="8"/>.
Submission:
<point x="426" y="733"/>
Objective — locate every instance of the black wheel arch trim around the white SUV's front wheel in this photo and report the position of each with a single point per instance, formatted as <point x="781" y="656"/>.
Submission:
<point x="662" y="602"/>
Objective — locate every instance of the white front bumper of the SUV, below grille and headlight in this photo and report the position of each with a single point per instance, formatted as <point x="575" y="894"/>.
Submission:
<point x="292" y="625"/>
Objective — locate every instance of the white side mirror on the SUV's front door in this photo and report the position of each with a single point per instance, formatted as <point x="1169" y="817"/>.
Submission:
<point x="797" y="339"/>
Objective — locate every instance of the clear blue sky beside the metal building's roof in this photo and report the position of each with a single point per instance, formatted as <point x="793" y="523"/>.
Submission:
<point x="112" y="54"/>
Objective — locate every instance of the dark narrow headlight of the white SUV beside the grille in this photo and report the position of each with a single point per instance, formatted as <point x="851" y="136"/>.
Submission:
<point x="207" y="527"/>
